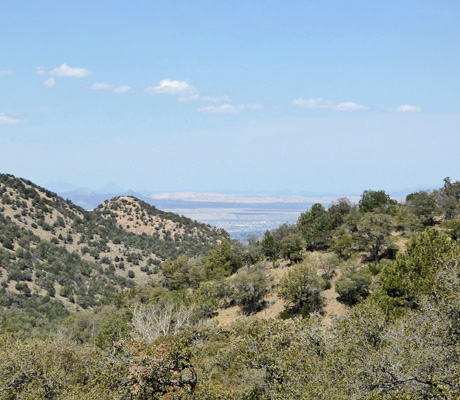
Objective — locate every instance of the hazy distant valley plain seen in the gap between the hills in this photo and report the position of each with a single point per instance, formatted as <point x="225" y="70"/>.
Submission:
<point x="240" y="215"/>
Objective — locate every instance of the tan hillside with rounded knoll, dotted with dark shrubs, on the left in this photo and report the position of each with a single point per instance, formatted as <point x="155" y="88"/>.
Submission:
<point x="56" y="257"/>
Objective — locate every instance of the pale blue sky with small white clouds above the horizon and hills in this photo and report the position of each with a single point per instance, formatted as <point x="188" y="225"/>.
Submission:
<point x="242" y="96"/>
